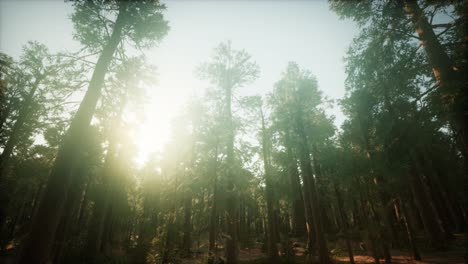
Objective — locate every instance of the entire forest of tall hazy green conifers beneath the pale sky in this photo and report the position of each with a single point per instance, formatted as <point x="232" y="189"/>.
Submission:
<point x="267" y="177"/>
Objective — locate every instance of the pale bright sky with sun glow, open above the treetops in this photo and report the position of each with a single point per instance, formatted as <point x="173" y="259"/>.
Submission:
<point x="273" y="32"/>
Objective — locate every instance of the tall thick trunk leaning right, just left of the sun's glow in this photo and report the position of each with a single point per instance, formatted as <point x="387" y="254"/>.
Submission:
<point x="37" y="247"/>
